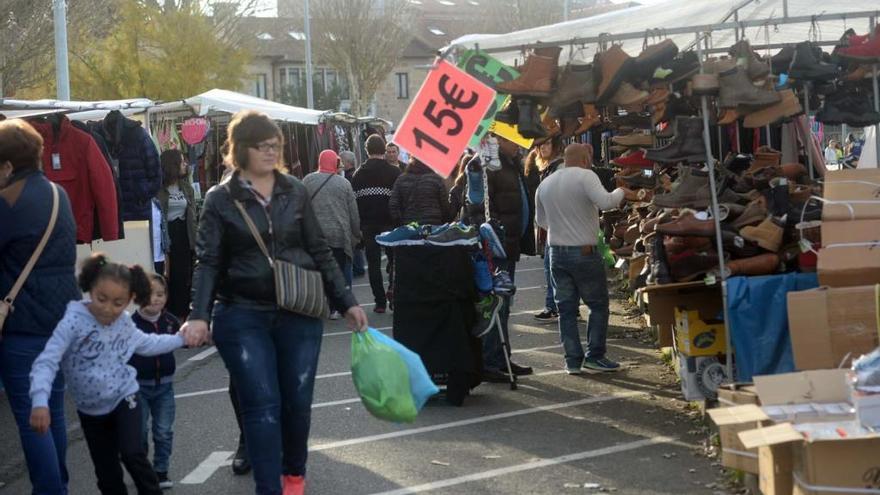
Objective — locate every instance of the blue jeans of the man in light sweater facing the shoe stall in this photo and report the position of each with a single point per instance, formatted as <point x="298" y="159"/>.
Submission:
<point x="580" y="277"/>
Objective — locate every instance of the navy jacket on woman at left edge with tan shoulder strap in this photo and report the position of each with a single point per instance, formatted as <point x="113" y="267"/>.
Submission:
<point x="25" y="208"/>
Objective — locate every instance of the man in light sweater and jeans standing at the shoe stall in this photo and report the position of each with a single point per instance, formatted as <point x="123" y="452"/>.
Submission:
<point x="567" y="206"/>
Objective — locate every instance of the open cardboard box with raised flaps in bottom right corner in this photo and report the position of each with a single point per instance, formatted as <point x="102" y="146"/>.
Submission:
<point x="827" y="458"/>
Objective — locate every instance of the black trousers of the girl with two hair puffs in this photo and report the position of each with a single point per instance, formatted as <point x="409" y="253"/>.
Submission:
<point x="117" y="437"/>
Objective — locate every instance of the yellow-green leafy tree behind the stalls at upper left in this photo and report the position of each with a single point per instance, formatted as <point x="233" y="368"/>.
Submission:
<point x="158" y="53"/>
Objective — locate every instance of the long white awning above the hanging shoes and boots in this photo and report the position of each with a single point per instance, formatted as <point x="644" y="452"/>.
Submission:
<point x="668" y="15"/>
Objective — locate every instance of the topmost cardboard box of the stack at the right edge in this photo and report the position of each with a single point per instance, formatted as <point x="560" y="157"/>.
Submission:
<point x="852" y="185"/>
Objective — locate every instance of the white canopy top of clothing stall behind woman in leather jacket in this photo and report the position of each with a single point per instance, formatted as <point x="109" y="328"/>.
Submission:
<point x="221" y="100"/>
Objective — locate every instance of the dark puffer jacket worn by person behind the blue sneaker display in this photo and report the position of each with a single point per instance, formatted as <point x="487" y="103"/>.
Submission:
<point x="419" y="195"/>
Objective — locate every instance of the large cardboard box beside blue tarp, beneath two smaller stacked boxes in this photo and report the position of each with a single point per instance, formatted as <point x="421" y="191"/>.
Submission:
<point x="827" y="325"/>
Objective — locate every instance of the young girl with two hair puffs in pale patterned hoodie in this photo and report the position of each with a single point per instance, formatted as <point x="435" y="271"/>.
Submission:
<point x="93" y="344"/>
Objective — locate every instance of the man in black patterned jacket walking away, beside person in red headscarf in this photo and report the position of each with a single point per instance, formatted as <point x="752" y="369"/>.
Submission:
<point x="372" y="184"/>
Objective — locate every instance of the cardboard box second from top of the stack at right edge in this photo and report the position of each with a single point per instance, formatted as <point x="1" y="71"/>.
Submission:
<point x="851" y="253"/>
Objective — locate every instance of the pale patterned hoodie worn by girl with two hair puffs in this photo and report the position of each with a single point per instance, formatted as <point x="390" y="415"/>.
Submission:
<point x="94" y="359"/>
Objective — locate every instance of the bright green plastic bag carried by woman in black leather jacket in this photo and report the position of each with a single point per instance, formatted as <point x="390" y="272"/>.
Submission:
<point x="381" y="378"/>
